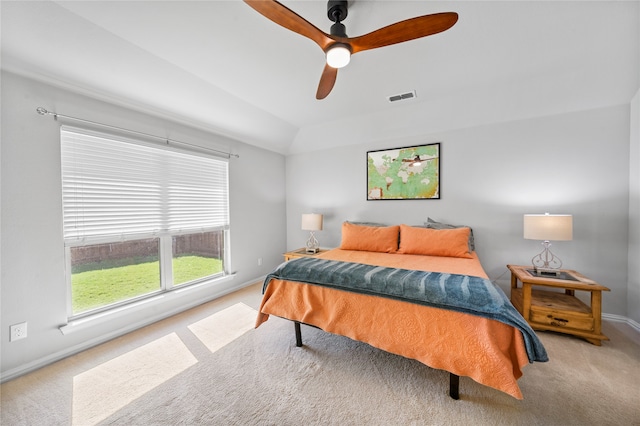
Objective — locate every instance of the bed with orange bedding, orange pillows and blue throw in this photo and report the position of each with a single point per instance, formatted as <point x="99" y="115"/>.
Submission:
<point x="396" y="288"/>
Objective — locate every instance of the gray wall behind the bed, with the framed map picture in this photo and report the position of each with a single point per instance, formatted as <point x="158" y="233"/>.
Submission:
<point x="490" y="176"/>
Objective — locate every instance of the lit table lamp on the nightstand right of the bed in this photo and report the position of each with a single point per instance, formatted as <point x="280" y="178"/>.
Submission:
<point x="548" y="227"/>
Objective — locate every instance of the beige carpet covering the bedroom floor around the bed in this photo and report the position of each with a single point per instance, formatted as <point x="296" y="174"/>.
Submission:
<point x="259" y="377"/>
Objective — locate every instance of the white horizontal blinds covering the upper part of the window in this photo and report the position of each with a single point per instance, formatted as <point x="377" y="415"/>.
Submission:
<point x="115" y="187"/>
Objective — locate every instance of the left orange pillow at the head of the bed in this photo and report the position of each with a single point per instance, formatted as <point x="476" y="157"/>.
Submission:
<point x="382" y="239"/>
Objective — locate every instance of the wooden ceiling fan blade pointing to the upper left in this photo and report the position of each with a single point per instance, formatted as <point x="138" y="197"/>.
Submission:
<point x="290" y="20"/>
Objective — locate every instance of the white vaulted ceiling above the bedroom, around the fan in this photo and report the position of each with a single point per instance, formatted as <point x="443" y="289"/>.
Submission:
<point x="221" y="66"/>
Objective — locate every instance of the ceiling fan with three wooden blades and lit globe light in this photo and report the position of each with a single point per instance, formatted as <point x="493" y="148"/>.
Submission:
<point x="337" y="46"/>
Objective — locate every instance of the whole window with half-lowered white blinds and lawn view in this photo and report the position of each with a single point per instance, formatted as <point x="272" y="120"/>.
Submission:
<point x="139" y="219"/>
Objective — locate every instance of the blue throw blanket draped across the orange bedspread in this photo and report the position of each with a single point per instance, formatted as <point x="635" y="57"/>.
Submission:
<point x="462" y="293"/>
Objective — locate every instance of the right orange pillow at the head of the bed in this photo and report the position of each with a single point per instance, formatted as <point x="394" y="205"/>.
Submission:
<point x="435" y="242"/>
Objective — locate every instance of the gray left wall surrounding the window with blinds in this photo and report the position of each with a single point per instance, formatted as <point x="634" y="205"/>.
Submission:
<point x="33" y="286"/>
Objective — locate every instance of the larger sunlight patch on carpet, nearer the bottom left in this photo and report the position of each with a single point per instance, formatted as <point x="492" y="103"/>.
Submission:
<point x="105" y="389"/>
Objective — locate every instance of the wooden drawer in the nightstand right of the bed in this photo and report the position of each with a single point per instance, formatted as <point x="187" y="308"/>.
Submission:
<point x="560" y="310"/>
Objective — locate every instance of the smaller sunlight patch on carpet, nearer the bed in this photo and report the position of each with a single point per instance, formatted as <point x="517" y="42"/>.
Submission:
<point x="225" y="326"/>
